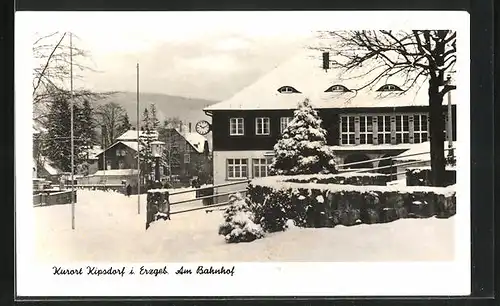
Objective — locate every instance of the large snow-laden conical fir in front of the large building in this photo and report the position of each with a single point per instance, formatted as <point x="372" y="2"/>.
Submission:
<point x="302" y="147"/>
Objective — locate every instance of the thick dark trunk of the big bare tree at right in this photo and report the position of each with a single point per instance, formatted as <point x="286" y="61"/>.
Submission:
<point x="436" y="124"/>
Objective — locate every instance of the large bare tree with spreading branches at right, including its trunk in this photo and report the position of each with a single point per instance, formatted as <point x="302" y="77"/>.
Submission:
<point x="417" y="56"/>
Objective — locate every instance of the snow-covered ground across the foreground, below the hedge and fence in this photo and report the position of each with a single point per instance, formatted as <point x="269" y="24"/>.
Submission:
<point x="108" y="228"/>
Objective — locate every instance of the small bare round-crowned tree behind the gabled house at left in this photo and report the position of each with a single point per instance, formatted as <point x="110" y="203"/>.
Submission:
<point x="110" y="117"/>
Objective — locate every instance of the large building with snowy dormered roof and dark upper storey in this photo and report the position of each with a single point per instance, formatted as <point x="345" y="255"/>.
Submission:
<point x="382" y="120"/>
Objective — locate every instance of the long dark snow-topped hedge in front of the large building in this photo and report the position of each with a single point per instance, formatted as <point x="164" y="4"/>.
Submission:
<point x="278" y="199"/>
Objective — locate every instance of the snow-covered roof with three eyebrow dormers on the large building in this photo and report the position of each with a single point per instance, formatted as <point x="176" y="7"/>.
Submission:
<point x="304" y="72"/>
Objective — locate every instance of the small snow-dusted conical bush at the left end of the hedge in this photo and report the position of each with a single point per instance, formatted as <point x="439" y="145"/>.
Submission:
<point x="239" y="225"/>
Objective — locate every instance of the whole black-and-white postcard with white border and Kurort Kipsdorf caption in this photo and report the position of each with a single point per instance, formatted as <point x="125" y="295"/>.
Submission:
<point x="246" y="148"/>
